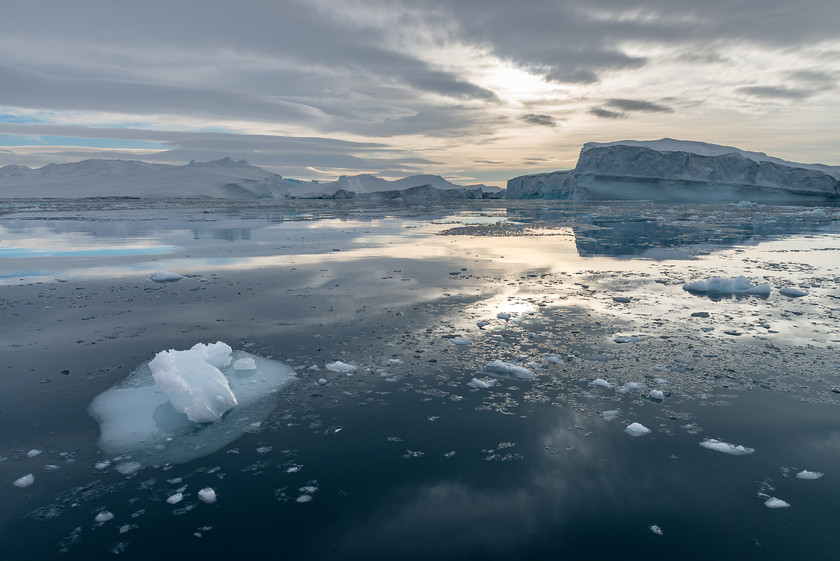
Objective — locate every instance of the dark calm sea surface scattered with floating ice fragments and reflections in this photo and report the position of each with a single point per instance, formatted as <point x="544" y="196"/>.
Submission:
<point x="491" y="379"/>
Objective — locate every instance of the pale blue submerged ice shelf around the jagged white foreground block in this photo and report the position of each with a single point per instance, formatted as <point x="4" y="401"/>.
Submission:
<point x="136" y="417"/>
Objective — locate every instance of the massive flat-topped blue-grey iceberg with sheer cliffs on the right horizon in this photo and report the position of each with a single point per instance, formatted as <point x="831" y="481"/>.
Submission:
<point x="670" y="169"/>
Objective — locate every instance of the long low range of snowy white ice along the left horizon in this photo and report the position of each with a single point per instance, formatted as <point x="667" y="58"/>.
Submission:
<point x="219" y="179"/>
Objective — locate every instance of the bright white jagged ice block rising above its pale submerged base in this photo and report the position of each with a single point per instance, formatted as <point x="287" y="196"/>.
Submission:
<point x="193" y="382"/>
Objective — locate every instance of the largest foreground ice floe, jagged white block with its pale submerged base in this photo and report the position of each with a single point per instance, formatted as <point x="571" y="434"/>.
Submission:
<point x="182" y="405"/>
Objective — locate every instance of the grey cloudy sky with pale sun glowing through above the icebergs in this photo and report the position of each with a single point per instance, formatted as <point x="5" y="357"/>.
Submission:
<point x="478" y="91"/>
